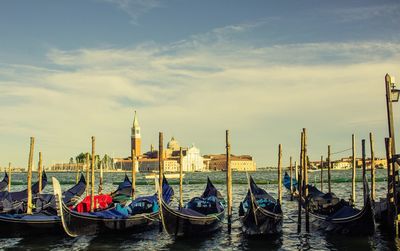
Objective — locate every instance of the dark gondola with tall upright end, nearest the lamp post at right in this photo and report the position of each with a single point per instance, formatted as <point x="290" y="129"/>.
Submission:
<point x="334" y="215"/>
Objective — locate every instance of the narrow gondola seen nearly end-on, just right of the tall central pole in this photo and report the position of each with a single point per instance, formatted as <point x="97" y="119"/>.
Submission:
<point x="259" y="212"/>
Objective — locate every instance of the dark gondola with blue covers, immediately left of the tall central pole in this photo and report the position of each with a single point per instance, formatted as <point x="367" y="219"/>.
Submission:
<point x="199" y="217"/>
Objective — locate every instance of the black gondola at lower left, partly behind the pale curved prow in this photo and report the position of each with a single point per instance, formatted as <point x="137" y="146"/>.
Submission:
<point x="44" y="219"/>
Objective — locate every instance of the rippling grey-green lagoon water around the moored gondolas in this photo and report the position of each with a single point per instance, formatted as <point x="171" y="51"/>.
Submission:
<point x="194" y="185"/>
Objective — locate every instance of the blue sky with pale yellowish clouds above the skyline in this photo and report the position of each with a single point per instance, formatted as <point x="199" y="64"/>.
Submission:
<point x="264" y="70"/>
